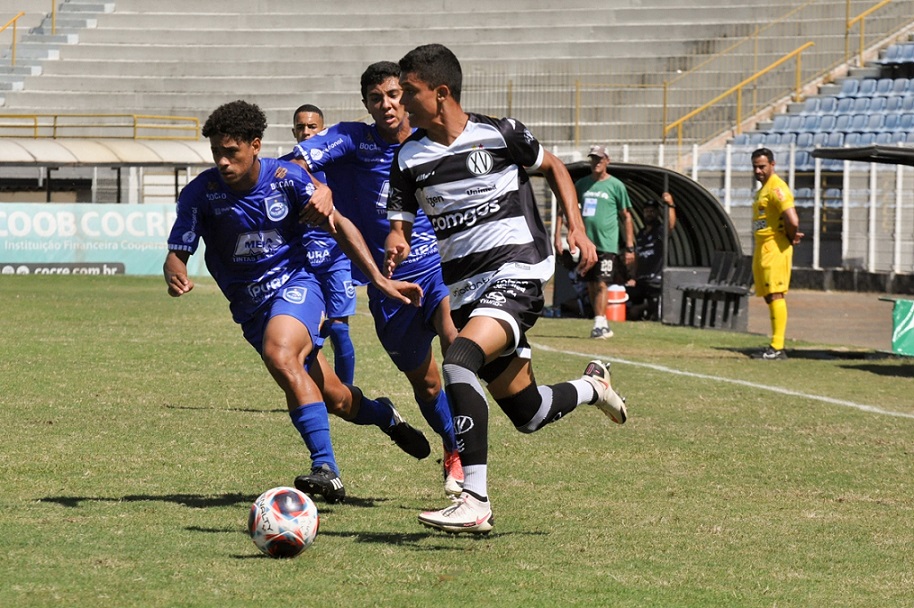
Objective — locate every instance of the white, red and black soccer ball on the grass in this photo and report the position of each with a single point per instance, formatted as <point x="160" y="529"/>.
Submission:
<point x="283" y="522"/>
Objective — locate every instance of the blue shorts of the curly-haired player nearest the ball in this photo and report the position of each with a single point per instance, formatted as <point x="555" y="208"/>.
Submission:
<point x="301" y="298"/>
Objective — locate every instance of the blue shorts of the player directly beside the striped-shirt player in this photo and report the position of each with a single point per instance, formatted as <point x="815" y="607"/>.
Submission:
<point x="406" y="332"/>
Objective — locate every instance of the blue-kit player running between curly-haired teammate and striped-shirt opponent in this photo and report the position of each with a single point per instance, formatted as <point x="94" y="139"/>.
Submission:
<point x="356" y="157"/>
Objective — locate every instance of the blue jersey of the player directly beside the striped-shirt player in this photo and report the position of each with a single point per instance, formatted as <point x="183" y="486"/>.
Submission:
<point x="356" y="161"/>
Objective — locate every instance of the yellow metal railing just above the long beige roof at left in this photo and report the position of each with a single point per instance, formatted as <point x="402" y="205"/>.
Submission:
<point x="113" y="126"/>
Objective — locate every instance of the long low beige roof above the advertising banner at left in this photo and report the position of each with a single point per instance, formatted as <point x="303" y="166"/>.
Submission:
<point x="23" y="152"/>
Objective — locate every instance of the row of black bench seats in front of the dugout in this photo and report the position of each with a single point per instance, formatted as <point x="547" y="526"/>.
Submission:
<point x="729" y="282"/>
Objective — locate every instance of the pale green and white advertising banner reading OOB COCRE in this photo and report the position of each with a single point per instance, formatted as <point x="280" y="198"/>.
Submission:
<point x="87" y="239"/>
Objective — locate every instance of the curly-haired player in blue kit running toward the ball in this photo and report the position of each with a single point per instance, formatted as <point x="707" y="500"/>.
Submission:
<point x="247" y="209"/>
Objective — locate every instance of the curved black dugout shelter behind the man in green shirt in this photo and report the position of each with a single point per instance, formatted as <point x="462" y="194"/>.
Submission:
<point x="702" y="225"/>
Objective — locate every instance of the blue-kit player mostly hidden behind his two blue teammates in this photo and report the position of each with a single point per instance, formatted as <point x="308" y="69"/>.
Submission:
<point x="328" y="263"/>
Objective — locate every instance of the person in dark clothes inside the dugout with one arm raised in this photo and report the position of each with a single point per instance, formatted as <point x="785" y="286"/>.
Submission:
<point x="645" y="291"/>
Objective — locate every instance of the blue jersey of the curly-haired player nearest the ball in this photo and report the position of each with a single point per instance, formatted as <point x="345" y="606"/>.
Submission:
<point x="254" y="239"/>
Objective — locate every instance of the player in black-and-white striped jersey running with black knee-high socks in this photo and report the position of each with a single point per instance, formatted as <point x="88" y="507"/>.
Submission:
<point x="467" y="173"/>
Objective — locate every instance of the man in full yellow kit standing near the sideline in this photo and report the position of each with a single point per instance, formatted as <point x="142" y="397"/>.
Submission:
<point x="776" y="228"/>
